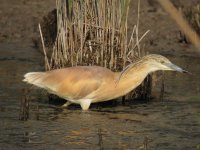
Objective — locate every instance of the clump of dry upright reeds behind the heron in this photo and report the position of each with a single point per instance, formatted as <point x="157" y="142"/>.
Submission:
<point x="92" y="32"/>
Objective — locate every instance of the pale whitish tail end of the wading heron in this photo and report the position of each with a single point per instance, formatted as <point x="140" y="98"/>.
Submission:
<point x="35" y="78"/>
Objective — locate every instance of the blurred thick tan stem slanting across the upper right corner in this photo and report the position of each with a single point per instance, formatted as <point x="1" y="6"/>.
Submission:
<point x="183" y="24"/>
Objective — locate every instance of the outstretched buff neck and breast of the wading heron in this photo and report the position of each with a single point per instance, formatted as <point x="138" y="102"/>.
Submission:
<point x="124" y="82"/>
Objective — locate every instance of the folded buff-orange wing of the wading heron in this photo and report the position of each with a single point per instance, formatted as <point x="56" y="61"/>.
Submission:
<point x="76" y="82"/>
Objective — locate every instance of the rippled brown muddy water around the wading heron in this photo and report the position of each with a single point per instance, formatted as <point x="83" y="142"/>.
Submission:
<point x="171" y="124"/>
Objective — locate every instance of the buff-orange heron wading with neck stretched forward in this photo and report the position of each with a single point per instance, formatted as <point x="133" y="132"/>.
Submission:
<point x="90" y="84"/>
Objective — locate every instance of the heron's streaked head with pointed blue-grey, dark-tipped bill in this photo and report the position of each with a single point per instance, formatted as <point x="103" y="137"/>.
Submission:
<point x="158" y="62"/>
